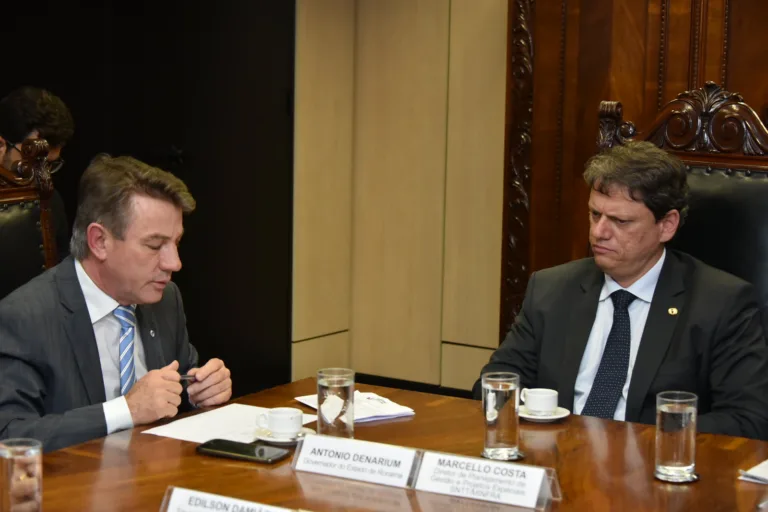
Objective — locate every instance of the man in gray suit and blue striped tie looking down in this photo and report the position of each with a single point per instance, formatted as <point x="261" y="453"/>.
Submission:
<point x="97" y="343"/>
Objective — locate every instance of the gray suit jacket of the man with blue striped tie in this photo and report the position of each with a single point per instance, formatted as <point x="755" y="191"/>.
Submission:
<point x="51" y="385"/>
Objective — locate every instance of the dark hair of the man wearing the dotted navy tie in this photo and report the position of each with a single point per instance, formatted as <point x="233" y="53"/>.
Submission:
<point x="651" y="175"/>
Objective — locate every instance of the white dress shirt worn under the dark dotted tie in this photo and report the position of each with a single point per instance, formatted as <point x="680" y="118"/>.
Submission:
<point x="643" y="289"/>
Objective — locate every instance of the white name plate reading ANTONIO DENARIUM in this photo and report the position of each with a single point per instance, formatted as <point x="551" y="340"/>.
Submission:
<point x="357" y="460"/>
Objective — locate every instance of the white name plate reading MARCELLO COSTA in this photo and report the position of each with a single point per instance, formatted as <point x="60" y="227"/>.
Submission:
<point x="480" y="479"/>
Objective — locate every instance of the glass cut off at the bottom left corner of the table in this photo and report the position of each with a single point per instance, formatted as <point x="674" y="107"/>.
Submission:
<point x="21" y="475"/>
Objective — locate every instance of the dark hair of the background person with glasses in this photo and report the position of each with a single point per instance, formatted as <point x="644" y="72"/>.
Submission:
<point x="31" y="108"/>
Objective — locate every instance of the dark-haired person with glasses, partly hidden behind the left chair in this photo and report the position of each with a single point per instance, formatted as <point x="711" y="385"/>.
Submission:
<point x="34" y="113"/>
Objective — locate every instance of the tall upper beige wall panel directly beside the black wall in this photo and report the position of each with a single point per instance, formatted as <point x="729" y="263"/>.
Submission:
<point x="322" y="166"/>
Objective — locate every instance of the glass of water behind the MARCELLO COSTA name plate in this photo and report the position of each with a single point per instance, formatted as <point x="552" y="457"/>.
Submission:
<point x="500" y="406"/>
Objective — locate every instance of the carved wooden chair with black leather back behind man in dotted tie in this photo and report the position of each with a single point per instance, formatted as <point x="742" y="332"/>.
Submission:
<point x="724" y="145"/>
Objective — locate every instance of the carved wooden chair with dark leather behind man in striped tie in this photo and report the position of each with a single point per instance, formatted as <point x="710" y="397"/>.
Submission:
<point x="27" y="240"/>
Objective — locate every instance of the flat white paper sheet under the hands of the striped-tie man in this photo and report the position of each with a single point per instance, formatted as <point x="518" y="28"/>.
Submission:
<point x="234" y="422"/>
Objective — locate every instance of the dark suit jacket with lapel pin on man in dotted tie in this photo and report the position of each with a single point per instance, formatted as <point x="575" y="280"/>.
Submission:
<point x="713" y="345"/>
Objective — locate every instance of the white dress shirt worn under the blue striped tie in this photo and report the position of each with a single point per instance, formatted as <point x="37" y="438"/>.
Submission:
<point x="106" y="329"/>
